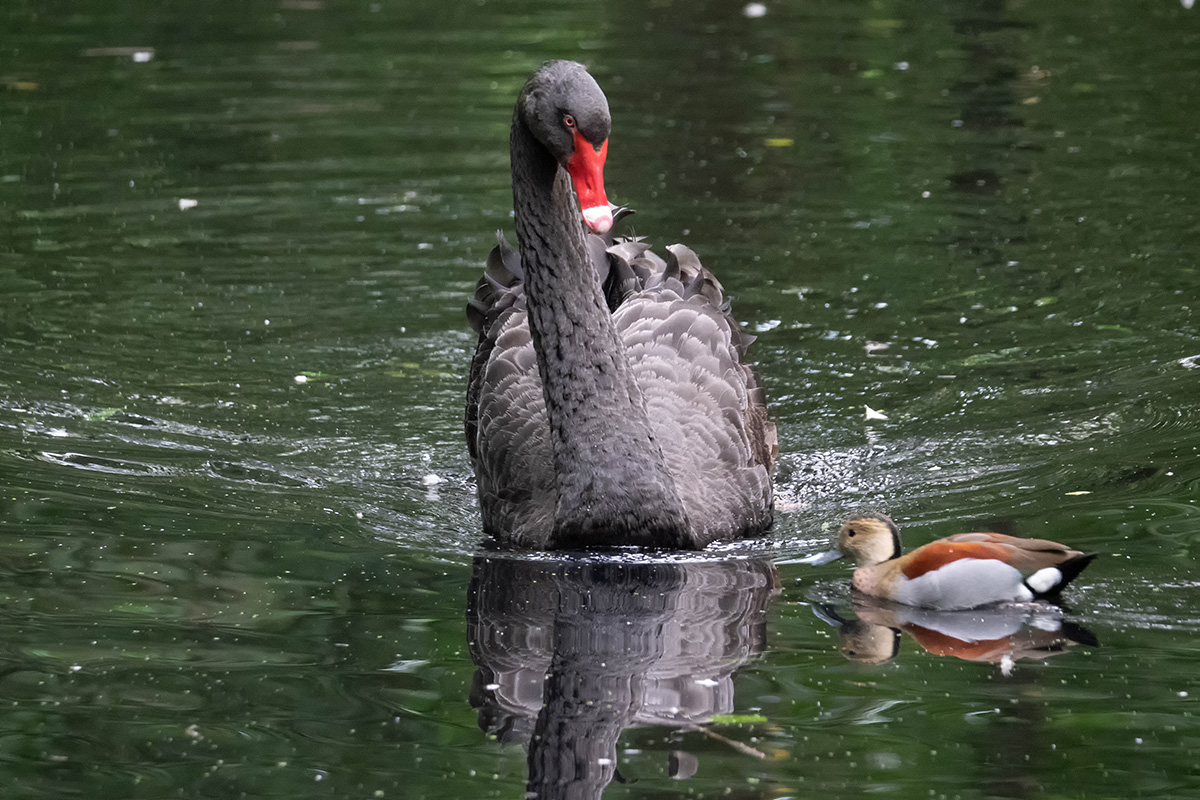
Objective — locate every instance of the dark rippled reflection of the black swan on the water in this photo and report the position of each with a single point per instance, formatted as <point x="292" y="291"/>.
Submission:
<point x="571" y="653"/>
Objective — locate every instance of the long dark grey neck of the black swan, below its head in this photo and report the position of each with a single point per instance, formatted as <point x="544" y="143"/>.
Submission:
<point x="614" y="486"/>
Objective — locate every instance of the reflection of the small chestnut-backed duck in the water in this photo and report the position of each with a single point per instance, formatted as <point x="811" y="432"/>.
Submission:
<point x="1003" y="635"/>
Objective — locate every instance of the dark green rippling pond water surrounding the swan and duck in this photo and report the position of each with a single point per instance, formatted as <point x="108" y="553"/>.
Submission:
<point x="980" y="219"/>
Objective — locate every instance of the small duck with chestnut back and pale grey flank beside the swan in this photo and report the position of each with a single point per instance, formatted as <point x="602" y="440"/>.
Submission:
<point x="957" y="573"/>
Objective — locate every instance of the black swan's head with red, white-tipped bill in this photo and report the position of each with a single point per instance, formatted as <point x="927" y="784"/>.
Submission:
<point x="566" y="110"/>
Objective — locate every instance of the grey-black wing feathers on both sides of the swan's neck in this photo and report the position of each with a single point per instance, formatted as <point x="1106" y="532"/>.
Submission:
<point x="705" y="406"/>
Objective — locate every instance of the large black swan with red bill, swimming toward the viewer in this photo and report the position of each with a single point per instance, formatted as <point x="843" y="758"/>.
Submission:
<point x="608" y="404"/>
